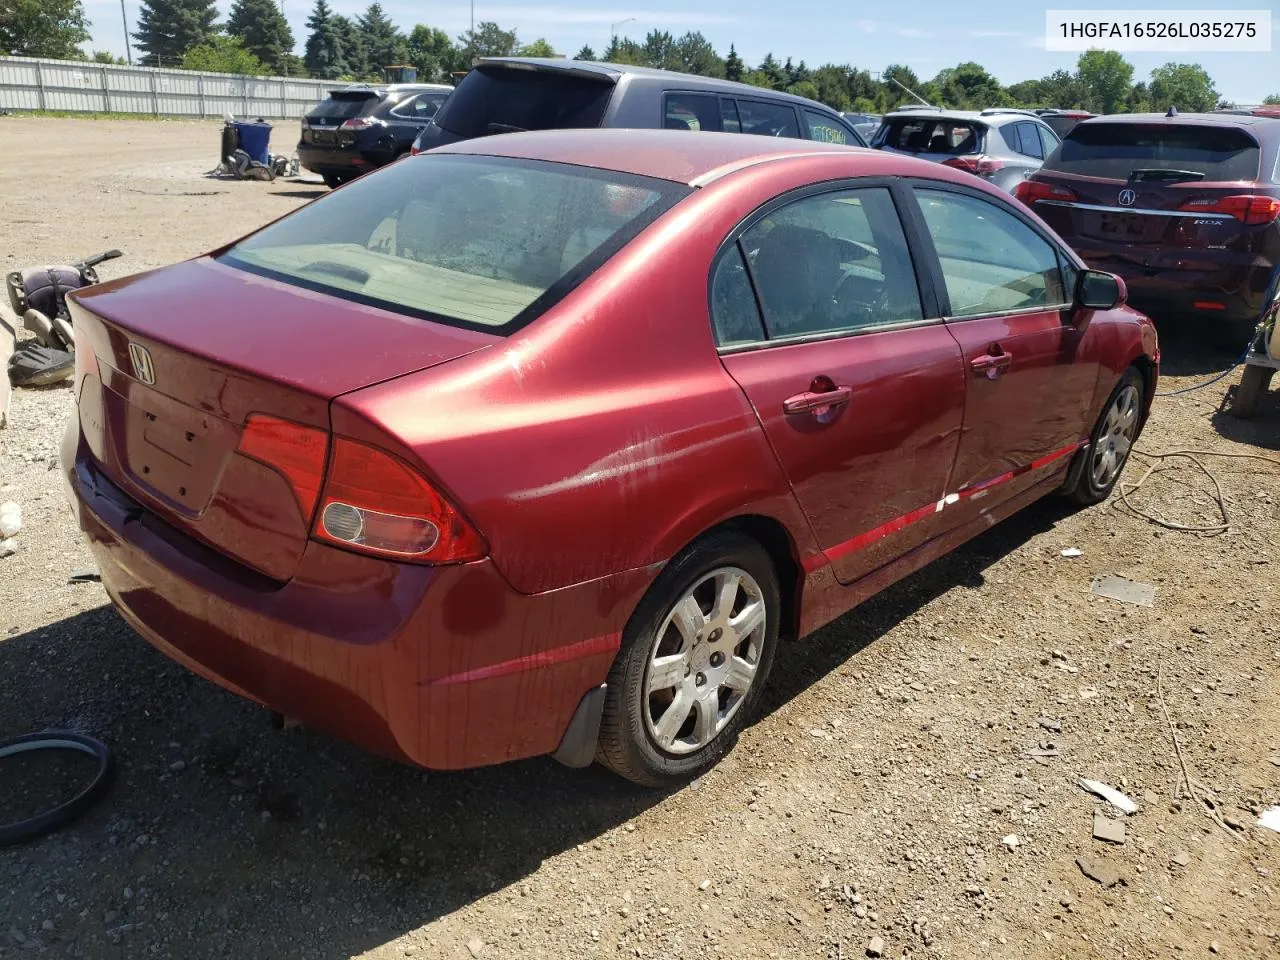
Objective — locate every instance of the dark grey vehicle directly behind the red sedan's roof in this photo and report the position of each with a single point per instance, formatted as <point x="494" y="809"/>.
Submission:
<point x="510" y="94"/>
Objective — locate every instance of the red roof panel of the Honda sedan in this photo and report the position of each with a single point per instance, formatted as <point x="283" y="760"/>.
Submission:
<point x="680" y="157"/>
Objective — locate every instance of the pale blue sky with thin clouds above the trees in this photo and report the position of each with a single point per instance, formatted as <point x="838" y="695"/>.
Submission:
<point x="1007" y="36"/>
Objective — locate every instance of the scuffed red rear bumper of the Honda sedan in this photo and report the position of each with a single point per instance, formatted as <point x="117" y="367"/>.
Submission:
<point x="445" y="668"/>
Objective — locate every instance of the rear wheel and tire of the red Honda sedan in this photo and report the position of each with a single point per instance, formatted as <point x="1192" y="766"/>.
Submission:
<point x="729" y="650"/>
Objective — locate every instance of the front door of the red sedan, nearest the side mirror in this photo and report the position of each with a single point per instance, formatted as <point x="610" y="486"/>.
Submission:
<point x="1007" y="304"/>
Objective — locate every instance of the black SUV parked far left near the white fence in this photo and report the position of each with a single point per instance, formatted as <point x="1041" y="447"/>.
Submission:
<point x="362" y="129"/>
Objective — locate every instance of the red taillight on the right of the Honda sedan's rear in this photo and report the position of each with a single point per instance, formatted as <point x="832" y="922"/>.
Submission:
<point x="377" y="505"/>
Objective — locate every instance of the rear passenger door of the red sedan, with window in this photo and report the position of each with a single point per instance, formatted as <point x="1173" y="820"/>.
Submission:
<point x="860" y="388"/>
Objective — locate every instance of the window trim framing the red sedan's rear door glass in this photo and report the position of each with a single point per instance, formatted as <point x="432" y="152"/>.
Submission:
<point x="925" y="282"/>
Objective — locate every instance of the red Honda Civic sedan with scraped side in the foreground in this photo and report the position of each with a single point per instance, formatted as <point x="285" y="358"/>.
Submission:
<point x="541" y="444"/>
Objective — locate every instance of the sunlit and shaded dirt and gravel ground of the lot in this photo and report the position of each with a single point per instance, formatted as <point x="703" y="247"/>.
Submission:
<point x="874" y="798"/>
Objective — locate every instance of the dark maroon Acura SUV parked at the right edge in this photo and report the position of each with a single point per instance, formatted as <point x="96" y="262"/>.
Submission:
<point x="1185" y="207"/>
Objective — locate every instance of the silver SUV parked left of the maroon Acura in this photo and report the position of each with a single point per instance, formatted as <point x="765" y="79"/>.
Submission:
<point x="1002" y="147"/>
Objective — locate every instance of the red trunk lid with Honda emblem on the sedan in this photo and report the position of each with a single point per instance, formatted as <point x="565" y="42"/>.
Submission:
<point x="173" y="363"/>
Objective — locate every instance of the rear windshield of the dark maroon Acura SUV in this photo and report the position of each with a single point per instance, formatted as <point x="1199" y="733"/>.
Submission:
<point x="1117" y="150"/>
